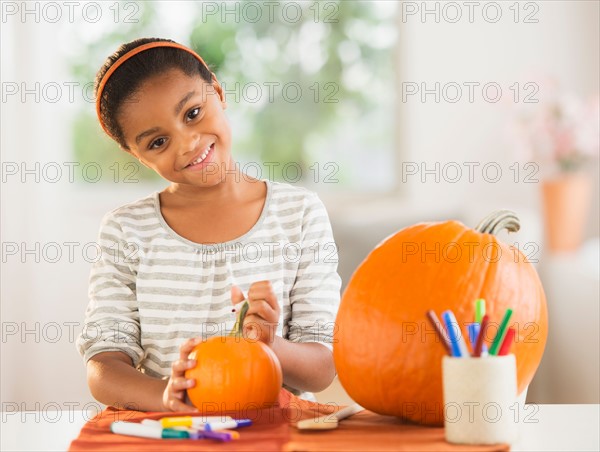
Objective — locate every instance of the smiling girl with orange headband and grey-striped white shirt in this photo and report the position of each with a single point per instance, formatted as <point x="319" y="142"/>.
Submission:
<point x="174" y="262"/>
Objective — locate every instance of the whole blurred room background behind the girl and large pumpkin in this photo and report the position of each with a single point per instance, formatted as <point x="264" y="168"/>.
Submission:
<point x="393" y="112"/>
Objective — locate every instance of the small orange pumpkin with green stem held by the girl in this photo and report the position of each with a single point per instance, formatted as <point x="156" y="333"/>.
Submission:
<point x="234" y="373"/>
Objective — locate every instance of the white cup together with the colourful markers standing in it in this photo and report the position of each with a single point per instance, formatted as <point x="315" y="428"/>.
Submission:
<point x="479" y="387"/>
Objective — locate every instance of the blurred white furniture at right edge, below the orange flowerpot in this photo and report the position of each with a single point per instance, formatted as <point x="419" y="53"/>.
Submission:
<point x="572" y="284"/>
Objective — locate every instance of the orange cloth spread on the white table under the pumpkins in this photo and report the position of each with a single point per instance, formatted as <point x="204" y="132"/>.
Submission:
<point x="273" y="430"/>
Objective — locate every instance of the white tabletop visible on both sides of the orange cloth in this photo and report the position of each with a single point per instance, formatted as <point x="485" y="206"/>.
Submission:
<point x="551" y="428"/>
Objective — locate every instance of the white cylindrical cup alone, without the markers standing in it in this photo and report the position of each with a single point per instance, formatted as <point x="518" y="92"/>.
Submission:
<point x="480" y="399"/>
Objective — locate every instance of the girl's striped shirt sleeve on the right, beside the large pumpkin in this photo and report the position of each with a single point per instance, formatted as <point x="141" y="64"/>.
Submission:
<point x="315" y="294"/>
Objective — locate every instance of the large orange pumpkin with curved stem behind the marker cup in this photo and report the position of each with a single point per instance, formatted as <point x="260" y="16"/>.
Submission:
<point x="387" y="357"/>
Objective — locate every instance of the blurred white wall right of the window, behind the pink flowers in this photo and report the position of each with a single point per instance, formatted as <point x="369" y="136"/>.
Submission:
<point x="564" y="44"/>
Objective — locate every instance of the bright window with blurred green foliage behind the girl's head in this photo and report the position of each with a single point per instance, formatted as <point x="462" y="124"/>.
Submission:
<point x="309" y="85"/>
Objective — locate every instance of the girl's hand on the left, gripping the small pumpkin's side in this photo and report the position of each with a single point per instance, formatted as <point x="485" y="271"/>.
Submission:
<point x="174" y="395"/>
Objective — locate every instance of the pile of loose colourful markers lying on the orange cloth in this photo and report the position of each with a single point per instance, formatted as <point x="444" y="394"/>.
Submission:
<point x="218" y="428"/>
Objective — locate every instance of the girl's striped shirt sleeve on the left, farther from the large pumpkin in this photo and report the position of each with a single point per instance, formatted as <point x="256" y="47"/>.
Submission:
<point x="112" y="316"/>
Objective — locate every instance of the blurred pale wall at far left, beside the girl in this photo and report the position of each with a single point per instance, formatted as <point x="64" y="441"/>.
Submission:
<point x="42" y="301"/>
